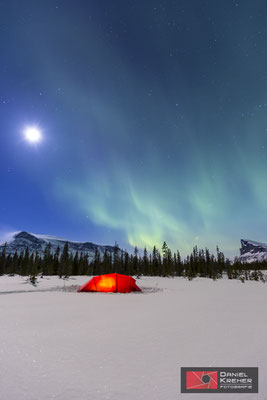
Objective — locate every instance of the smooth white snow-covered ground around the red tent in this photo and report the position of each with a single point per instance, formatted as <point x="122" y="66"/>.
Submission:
<point x="60" y="344"/>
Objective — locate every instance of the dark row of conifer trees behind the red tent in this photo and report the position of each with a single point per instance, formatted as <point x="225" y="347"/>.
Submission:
<point x="200" y="263"/>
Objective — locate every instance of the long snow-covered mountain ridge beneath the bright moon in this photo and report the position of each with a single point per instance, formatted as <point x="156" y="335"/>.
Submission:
<point x="19" y="241"/>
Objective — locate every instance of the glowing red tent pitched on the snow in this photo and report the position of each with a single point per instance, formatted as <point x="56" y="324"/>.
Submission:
<point x="110" y="283"/>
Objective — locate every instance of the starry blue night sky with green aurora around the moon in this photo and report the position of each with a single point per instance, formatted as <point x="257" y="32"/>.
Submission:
<point x="153" y="117"/>
